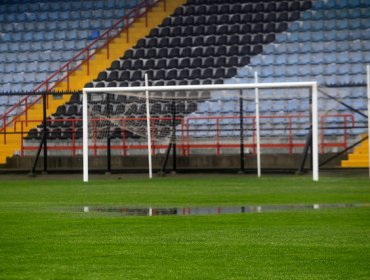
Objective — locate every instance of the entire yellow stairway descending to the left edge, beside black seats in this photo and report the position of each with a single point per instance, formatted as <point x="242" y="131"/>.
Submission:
<point x="12" y="143"/>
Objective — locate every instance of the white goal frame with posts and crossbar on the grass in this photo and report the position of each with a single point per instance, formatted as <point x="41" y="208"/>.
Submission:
<point x="308" y="85"/>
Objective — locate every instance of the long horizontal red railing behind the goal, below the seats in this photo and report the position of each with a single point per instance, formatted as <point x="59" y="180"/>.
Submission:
<point x="185" y="143"/>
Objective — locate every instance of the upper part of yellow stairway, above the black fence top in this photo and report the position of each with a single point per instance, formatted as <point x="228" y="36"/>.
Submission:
<point x="119" y="45"/>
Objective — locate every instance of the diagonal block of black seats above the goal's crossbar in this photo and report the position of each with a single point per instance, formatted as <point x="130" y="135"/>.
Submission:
<point x="203" y="41"/>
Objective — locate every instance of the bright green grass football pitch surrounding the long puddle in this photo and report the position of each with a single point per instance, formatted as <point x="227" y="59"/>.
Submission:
<point x="45" y="234"/>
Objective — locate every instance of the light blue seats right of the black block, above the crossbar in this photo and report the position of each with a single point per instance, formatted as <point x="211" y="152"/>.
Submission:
<point x="329" y="44"/>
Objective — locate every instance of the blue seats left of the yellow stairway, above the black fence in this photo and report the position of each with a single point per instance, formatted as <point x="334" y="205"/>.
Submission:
<point x="37" y="38"/>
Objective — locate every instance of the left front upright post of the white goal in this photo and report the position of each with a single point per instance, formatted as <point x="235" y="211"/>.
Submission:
<point x="85" y="137"/>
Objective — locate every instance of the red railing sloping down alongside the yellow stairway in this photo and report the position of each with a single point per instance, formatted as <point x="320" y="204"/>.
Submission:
<point x="85" y="55"/>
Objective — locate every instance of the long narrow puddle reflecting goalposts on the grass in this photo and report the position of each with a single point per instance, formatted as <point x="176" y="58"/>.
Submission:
<point x="191" y="211"/>
